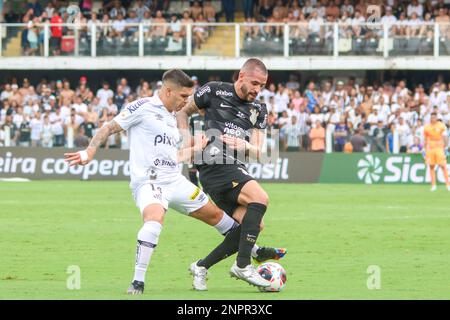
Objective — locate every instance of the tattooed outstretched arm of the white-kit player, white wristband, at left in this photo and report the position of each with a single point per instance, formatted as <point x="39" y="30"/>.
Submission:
<point x="85" y="156"/>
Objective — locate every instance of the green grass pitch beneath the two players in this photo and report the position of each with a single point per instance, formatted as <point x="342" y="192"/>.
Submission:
<point x="333" y="233"/>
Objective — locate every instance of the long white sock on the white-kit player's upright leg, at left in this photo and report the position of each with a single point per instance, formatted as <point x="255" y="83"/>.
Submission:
<point x="147" y="241"/>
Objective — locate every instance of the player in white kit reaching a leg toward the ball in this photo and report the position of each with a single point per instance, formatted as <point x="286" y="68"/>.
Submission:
<point x="156" y="181"/>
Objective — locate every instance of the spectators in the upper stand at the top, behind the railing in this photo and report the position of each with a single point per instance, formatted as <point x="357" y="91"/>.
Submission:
<point x="405" y="19"/>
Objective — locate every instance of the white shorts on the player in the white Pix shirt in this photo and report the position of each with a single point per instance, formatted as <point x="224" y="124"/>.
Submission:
<point x="179" y="194"/>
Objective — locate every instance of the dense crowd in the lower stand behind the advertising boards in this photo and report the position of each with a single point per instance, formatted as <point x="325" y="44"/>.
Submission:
<point x="362" y="117"/>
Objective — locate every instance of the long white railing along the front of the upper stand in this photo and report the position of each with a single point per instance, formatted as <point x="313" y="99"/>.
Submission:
<point x="245" y="39"/>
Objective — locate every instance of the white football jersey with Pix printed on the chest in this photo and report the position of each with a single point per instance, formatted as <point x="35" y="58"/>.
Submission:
<point x="153" y="140"/>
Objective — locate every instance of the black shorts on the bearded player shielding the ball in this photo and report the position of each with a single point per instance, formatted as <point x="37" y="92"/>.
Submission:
<point x="223" y="183"/>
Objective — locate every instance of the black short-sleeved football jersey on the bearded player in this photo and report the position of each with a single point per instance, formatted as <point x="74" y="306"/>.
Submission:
<point x="227" y="114"/>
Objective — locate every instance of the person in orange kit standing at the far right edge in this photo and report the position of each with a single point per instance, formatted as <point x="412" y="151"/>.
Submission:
<point x="435" y="142"/>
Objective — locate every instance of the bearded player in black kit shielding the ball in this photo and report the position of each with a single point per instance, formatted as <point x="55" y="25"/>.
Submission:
<point x="231" y="110"/>
